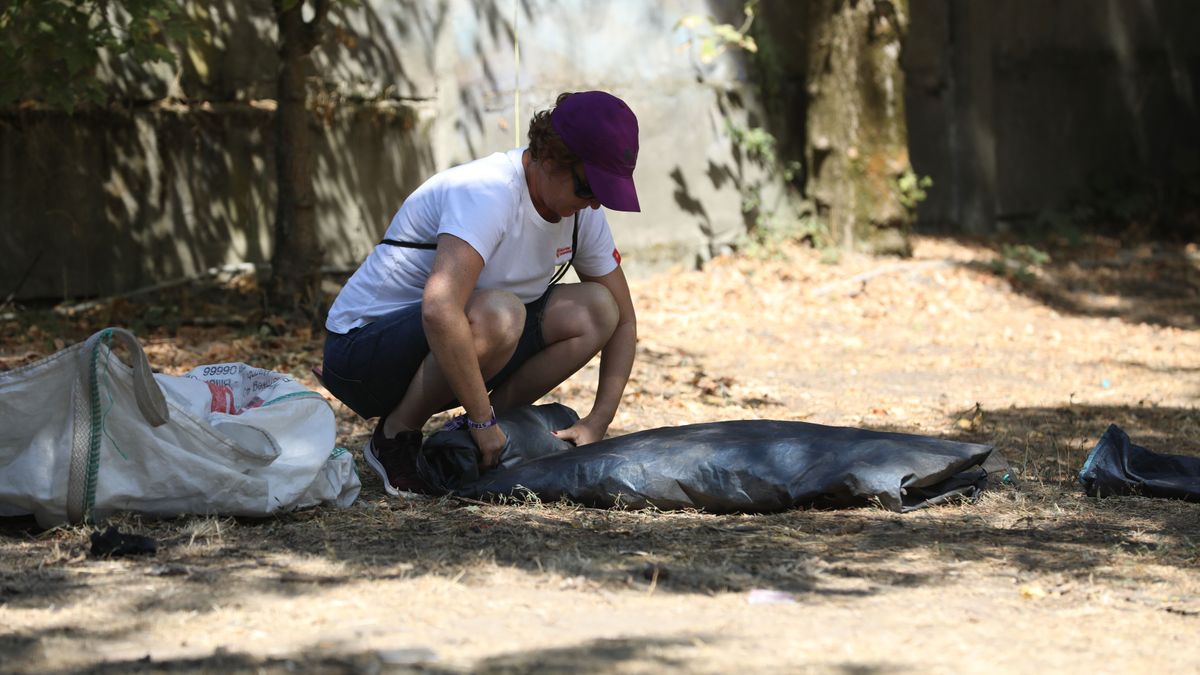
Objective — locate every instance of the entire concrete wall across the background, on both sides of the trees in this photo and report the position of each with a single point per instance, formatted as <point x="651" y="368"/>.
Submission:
<point x="1013" y="107"/>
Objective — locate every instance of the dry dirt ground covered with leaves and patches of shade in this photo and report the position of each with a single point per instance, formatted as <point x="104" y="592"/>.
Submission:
<point x="968" y="342"/>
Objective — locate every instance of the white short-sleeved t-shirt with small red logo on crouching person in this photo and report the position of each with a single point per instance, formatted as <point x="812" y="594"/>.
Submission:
<point x="485" y="204"/>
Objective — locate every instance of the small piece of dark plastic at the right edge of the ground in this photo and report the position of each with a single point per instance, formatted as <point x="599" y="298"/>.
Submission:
<point x="1119" y="467"/>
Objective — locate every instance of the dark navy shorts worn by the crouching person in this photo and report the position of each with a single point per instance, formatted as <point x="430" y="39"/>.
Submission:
<point x="370" y="368"/>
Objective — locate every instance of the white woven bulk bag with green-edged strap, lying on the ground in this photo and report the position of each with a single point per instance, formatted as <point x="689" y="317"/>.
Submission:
<point x="83" y="435"/>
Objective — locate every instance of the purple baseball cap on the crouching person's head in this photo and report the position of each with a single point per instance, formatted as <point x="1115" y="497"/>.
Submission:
<point x="602" y="130"/>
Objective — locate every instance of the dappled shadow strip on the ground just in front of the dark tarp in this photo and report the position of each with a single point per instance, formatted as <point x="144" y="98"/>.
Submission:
<point x="1043" y="525"/>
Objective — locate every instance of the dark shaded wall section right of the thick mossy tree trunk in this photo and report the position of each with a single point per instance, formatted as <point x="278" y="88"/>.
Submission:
<point x="1018" y="107"/>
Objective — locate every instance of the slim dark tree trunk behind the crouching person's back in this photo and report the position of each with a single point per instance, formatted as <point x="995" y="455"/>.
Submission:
<point x="297" y="259"/>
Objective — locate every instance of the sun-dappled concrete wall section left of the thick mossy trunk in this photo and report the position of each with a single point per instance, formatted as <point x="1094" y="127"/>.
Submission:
<point x="179" y="176"/>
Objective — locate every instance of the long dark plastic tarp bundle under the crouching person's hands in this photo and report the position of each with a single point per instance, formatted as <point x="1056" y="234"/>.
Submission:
<point x="751" y="467"/>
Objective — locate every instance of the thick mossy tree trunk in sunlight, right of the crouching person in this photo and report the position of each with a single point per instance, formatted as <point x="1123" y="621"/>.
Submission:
<point x="857" y="147"/>
